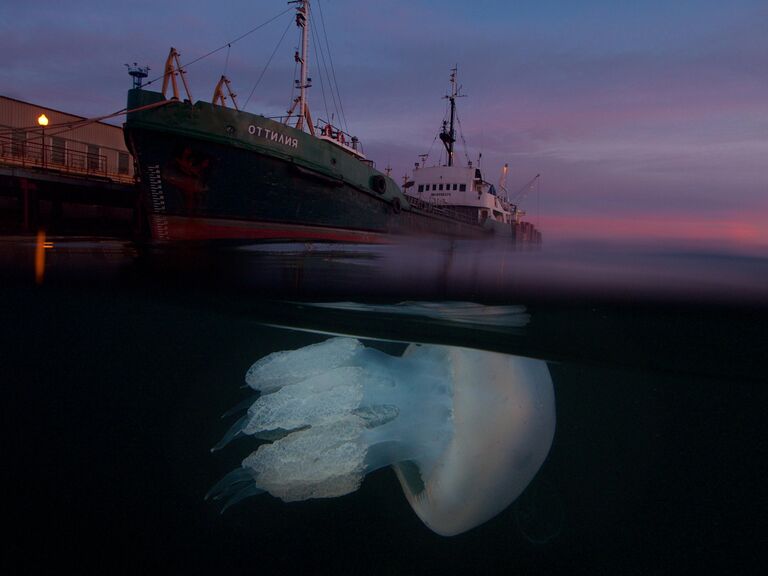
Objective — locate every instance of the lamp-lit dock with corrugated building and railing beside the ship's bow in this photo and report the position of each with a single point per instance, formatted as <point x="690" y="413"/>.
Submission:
<point x="58" y="171"/>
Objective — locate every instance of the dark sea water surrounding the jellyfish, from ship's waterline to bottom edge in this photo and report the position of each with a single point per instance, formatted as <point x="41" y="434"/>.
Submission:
<point x="118" y="363"/>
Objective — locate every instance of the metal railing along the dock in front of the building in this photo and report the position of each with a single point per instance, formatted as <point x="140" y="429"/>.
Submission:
<point x="30" y="154"/>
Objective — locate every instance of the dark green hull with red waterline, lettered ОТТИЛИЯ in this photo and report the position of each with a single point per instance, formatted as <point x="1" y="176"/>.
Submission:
<point x="209" y="172"/>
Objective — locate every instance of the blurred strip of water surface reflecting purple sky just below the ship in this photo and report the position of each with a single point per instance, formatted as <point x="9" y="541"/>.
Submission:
<point x="424" y="270"/>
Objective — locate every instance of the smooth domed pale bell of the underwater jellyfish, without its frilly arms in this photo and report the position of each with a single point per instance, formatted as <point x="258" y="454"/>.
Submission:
<point x="504" y="423"/>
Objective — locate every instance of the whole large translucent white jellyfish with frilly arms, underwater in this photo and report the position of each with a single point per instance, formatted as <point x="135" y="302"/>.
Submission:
<point x="465" y="430"/>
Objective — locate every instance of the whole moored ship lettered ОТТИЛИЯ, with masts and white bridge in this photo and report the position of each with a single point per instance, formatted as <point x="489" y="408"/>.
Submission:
<point x="213" y="172"/>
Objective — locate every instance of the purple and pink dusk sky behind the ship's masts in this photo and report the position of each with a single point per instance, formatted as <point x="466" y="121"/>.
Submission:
<point x="643" y="118"/>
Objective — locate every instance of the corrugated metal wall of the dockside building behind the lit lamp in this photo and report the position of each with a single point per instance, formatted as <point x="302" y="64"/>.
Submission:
<point x="17" y="114"/>
